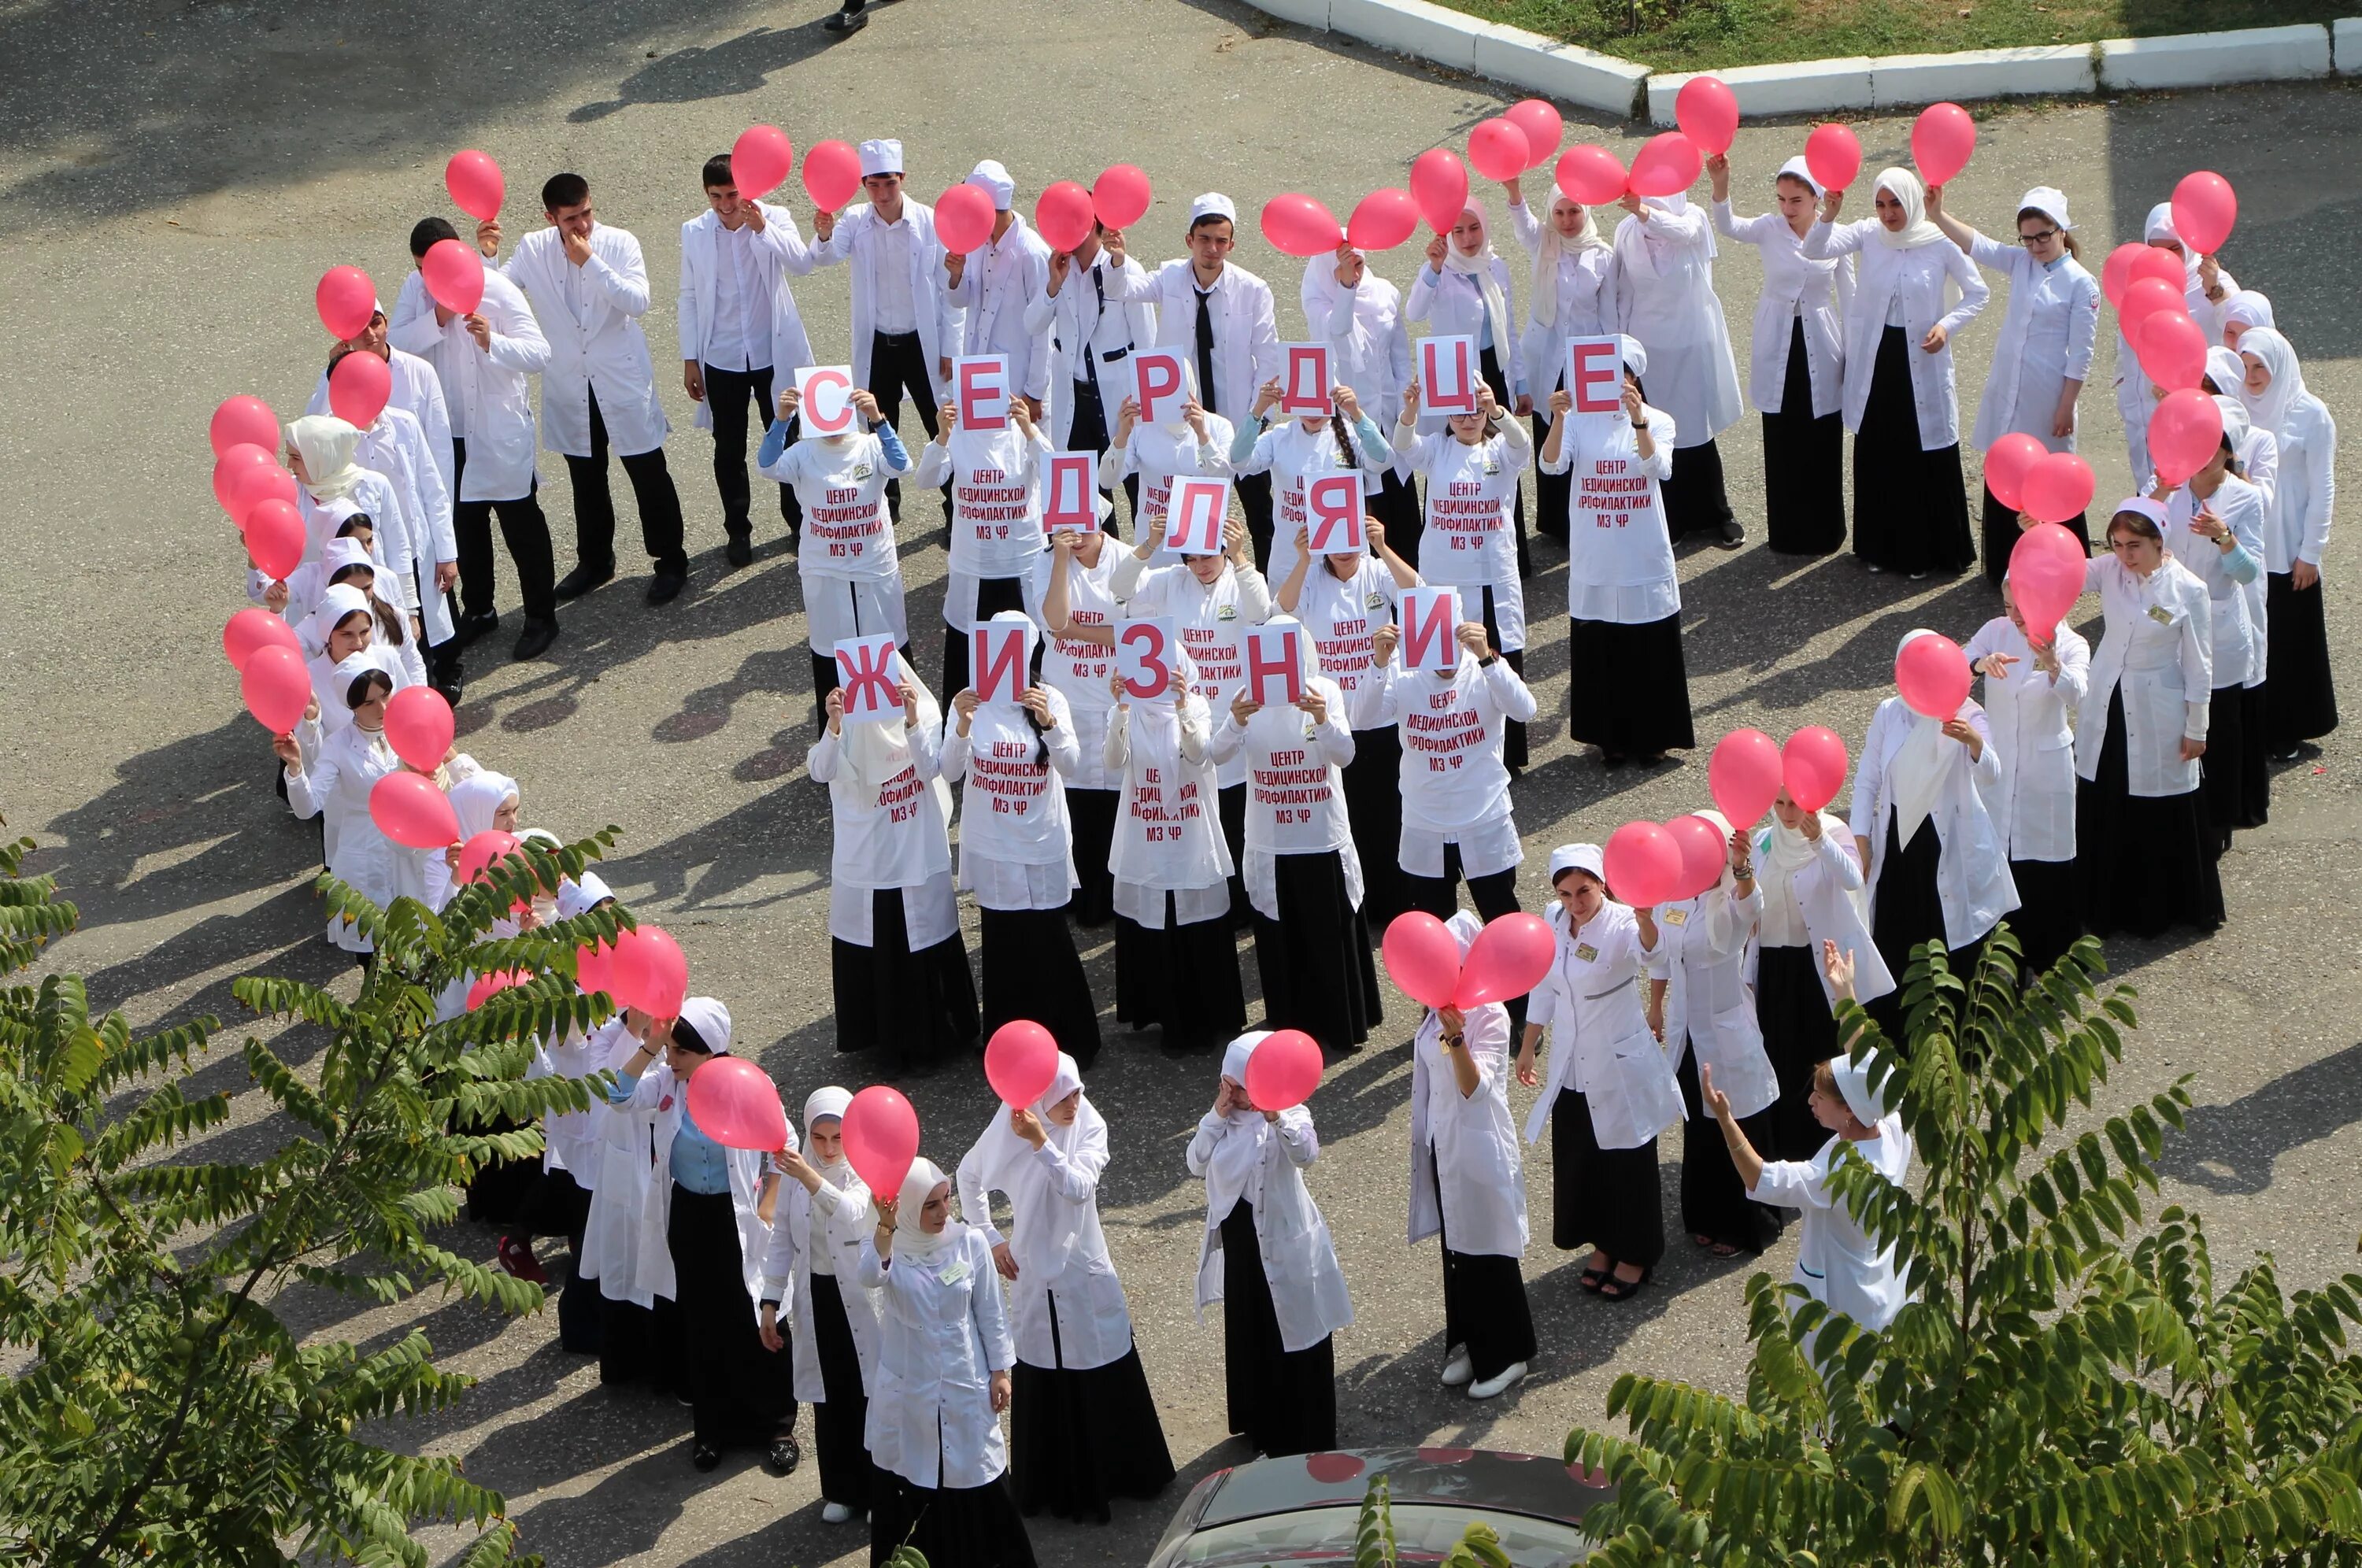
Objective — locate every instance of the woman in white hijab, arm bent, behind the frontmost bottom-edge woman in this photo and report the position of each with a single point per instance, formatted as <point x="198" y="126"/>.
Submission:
<point x="1083" y="1423"/>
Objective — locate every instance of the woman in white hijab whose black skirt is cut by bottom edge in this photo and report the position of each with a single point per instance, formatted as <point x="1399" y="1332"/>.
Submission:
<point x="941" y="1387"/>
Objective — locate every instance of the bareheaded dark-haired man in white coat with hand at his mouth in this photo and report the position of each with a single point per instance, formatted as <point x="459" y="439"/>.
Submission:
<point x="589" y="292"/>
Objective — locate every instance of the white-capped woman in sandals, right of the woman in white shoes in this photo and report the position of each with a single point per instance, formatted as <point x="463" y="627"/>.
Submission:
<point x="1610" y="1090"/>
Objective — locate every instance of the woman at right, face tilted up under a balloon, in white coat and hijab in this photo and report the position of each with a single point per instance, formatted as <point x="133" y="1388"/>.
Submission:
<point x="2033" y="693"/>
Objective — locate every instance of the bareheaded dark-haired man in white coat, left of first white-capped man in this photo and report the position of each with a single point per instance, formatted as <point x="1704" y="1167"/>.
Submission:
<point x="740" y="337"/>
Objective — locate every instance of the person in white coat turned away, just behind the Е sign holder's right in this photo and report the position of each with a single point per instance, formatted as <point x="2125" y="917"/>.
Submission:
<point x="1666" y="299"/>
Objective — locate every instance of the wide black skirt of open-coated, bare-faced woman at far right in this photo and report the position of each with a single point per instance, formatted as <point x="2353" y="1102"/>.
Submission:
<point x="2141" y="861"/>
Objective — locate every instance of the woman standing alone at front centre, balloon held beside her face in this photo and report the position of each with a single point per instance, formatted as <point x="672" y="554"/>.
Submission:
<point x="1270" y="1260"/>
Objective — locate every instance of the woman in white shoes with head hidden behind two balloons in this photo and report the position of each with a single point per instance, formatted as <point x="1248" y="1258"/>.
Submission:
<point x="1468" y="1187"/>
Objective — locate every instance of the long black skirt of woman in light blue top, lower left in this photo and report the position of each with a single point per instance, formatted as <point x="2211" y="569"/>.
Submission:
<point x="740" y="1394"/>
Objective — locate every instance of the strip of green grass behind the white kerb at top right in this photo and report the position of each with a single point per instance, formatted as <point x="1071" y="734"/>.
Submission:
<point x="1709" y="34"/>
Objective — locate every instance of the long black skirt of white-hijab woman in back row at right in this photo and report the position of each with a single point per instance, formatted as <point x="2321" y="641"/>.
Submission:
<point x="1910" y="504"/>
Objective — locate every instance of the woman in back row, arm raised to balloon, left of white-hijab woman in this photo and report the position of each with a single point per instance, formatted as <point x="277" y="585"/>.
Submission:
<point x="1796" y="362"/>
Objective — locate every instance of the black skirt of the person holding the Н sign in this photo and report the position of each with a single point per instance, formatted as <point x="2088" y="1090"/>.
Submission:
<point x="1317" y="958"/>
